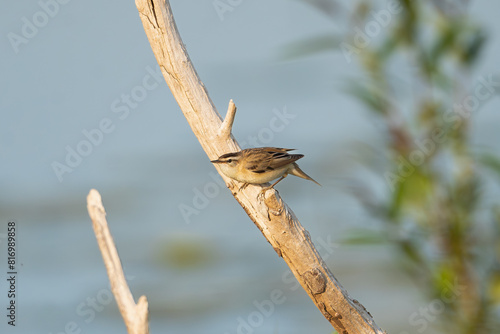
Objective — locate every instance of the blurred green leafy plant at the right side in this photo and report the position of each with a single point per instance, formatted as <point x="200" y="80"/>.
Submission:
<point x="437" y="212"/>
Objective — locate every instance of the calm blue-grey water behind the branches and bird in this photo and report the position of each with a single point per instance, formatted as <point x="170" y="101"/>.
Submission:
<point x="207" y="271"/>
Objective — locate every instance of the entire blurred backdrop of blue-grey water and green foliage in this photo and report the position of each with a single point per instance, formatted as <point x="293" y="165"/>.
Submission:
<point x="394" y="104"/>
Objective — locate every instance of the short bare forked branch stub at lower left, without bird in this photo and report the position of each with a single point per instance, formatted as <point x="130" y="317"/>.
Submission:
<point x="134" y="316"/>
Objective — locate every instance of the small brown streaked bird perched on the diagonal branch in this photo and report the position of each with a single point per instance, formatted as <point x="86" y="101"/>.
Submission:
<point x="261" y="165"/>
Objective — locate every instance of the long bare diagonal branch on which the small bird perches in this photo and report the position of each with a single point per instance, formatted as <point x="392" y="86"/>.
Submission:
<point x="271" y="215"/>
